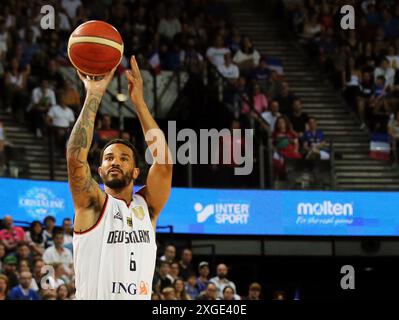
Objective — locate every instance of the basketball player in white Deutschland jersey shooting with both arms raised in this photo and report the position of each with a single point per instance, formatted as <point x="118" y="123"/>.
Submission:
<point x="114" y="242"/>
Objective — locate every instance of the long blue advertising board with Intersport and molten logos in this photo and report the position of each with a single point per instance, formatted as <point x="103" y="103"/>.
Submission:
<point x="231" y="212"/>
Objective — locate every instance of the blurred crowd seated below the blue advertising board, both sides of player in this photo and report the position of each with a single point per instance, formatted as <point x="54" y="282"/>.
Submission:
<point x="37" y="264"/>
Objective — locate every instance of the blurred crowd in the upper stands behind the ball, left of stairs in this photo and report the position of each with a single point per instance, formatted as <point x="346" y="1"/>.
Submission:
<point x="196" y="36"/>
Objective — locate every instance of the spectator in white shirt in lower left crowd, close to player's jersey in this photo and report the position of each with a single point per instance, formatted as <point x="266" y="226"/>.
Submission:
<point x="59" y="254"/>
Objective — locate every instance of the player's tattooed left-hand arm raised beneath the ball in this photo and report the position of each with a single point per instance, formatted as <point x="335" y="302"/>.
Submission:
<point x="88" y="198"/>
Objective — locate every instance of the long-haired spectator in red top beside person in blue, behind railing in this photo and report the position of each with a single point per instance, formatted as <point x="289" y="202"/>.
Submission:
<point x="285" y="139"/>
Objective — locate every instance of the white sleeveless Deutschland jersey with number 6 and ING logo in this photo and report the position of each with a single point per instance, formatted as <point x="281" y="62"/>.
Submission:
<point x="115" y="259"/>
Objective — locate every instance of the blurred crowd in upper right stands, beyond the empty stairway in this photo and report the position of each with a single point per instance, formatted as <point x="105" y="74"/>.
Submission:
<point x="361" y="62"/>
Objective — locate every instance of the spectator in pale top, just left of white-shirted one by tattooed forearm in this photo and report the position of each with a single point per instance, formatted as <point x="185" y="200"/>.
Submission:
<point x="43" y="98"/>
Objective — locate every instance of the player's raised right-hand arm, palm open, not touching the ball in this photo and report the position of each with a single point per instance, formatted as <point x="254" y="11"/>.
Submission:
<point x="159" y="179"/>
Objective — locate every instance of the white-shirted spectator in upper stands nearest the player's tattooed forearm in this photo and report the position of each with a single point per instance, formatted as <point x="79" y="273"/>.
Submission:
<point x="60" y="118"/>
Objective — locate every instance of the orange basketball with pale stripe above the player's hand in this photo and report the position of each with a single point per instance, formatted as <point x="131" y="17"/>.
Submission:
<point x="95" y="48"/>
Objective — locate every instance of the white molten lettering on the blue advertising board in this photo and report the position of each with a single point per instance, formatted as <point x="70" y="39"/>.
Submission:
<point x="325" y="208"/>
